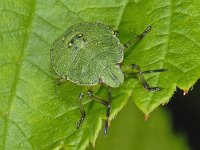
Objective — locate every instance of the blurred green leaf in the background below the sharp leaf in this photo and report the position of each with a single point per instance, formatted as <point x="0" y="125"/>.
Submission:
<point x="129" y="131"/>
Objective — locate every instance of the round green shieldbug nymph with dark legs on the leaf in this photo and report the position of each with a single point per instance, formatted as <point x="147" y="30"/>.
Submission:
<point x="89" y="53"/>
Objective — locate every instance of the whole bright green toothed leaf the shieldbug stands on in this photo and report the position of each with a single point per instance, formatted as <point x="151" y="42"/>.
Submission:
<point x="36" y="113"/>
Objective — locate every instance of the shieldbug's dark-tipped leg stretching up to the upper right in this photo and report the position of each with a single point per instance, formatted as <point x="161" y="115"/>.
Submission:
<point x="138" y="38"/>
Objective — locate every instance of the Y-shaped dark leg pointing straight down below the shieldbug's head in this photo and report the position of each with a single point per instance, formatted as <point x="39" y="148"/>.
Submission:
<point x="105" y="103"/>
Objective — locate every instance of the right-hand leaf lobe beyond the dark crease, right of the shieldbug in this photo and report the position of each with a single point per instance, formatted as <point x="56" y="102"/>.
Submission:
<point x="173" y="44"/>
